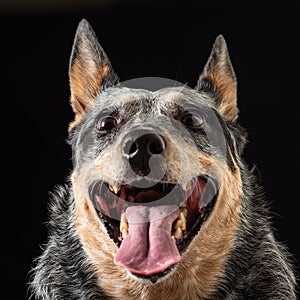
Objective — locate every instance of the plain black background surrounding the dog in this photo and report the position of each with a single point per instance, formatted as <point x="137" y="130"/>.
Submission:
<point x="149" y="38"/>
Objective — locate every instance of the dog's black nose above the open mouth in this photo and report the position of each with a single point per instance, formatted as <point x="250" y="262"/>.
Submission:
<point x="139" y="146"/>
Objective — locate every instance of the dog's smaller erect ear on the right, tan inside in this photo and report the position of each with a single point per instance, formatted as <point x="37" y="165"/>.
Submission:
<point x="218" y="77"/>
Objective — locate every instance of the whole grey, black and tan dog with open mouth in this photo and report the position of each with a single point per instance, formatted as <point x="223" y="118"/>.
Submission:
<point x="160" y="203"/>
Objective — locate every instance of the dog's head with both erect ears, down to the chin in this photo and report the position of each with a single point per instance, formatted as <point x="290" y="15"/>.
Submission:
<point x="156" y="170"/>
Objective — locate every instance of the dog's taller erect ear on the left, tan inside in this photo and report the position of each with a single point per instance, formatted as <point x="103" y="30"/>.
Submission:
<point x="90" y="70"/>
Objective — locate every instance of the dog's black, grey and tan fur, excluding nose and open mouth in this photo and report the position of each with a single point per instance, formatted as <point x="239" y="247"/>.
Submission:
<point x="234" y="255"/>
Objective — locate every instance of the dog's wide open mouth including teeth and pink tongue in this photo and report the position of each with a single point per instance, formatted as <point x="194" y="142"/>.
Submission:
<point x="152" y="223"/>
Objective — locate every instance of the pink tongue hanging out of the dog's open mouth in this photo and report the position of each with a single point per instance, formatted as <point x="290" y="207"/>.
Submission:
<point x="149" y="247"/>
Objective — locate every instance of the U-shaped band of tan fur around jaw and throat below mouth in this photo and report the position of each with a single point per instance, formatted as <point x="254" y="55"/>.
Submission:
<point x="204" y="259"/>
